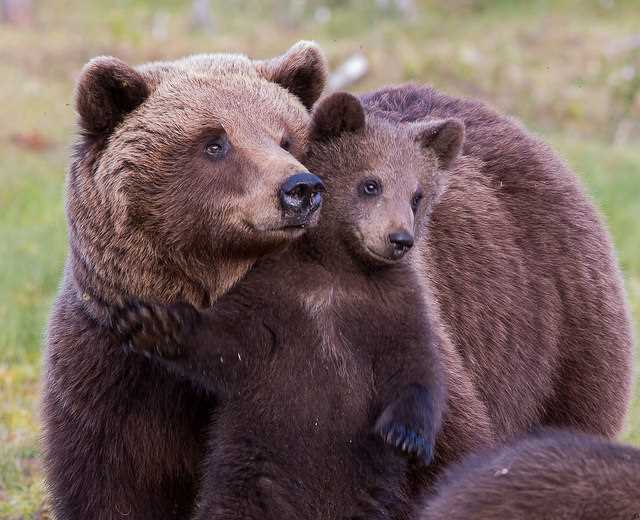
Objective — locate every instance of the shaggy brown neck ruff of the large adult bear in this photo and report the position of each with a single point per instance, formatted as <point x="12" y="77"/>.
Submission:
<point x="110" y="263"/>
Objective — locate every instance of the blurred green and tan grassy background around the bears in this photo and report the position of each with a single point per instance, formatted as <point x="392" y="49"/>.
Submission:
<point x="570" y="69"/>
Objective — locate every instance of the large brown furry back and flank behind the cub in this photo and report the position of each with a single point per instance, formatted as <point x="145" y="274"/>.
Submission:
<point x="523" y="275"/>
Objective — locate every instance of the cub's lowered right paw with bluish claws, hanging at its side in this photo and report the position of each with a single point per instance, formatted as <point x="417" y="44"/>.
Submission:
<point x="410" y="424"/>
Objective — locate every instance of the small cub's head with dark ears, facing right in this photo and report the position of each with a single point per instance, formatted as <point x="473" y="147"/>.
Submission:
<point x="382" y="178"/>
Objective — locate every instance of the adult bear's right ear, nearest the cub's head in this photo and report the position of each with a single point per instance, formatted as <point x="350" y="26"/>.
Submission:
<point x="302" y="70"/>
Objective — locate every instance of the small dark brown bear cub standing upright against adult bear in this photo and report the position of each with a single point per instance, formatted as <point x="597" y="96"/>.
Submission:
<point x="324" y="352"/>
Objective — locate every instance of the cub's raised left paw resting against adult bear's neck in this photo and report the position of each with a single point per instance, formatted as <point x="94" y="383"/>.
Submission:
<point x="154" y="329"/>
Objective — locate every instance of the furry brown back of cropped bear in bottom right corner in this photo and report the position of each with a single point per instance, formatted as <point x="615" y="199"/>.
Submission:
<point x="547" y="476"/>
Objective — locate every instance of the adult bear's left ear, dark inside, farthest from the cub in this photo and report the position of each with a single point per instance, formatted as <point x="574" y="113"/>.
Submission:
<point x="108" y="89"/>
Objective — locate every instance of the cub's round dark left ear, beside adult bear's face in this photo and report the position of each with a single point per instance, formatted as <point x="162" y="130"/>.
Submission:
<point x="336" y="114"/>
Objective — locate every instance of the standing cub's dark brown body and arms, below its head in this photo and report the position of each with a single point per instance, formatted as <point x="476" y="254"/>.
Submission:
<point x="302" y="384"/>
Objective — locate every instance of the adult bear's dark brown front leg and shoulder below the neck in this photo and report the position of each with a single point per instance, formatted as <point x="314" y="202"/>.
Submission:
<point x="123" y="438"/>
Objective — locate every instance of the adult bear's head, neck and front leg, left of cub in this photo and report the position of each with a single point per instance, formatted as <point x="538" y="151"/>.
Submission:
<point x="184" y="174"/>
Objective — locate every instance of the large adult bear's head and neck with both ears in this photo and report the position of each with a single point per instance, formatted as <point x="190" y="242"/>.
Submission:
<point x="187" y="171"/>
